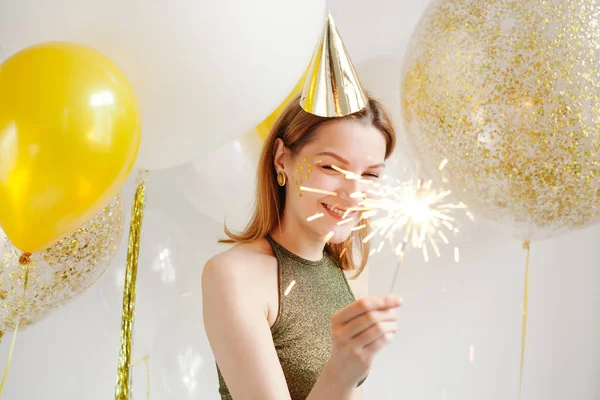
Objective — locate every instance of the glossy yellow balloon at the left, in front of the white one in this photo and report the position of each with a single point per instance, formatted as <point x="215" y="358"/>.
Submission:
<point x="69" y="136"/>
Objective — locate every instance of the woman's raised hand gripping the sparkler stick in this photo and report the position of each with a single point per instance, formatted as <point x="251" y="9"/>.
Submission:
<point x="358" y="332"/>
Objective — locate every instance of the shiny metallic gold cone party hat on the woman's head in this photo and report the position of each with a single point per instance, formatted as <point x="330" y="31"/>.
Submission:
<point x="332" y="88"/>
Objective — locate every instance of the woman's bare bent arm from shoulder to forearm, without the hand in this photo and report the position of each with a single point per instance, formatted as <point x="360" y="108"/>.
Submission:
<point x="240" y="336"/>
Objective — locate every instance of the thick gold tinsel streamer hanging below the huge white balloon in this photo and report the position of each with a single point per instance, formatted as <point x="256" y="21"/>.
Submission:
<point x="123" y="389"/>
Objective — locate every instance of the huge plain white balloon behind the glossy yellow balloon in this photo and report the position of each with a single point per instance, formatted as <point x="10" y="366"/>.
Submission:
<point x="204" y="71"/>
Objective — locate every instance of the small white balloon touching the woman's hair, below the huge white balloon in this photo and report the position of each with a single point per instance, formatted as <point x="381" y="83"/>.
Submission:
<point x="223" y="184"/>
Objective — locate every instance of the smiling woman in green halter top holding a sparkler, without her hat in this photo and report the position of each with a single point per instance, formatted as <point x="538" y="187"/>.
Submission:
<point x="280" y="307"/>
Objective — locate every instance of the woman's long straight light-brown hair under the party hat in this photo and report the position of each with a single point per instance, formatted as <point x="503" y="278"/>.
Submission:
<point x="297" y="128"/>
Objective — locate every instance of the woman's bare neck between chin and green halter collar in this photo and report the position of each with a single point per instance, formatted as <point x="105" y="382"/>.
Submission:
<point x="295" y="237"/>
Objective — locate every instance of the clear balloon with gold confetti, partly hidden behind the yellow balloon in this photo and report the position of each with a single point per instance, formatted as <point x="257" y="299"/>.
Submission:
<point x="59" y="273"/>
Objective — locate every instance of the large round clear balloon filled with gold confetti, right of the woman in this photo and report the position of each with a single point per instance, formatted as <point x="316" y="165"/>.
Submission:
<point x="508" y="92"/>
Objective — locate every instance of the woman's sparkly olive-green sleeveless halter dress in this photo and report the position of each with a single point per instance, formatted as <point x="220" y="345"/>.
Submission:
<point x="302" y="331"/>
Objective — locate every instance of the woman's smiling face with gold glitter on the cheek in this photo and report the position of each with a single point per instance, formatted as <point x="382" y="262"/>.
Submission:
<point x="340" y="149"/>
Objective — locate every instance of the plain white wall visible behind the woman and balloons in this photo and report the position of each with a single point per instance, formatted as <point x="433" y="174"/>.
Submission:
<point x="450" y="307"/>
